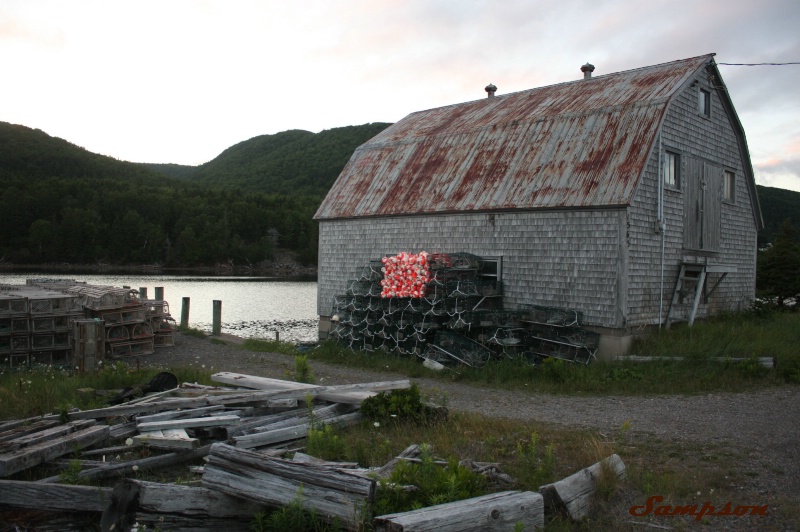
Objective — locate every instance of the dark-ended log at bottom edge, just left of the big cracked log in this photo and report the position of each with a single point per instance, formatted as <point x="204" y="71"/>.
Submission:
<point x="152" y="504"/>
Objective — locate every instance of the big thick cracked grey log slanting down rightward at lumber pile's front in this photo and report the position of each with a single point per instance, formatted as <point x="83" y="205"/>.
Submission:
<point x="276" y="482"/>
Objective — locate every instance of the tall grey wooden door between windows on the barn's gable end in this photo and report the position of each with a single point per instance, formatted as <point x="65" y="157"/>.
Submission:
<point x="702" y="202"/>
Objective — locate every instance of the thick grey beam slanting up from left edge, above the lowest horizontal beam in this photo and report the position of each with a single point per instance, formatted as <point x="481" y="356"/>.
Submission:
<point x="33" y="455"/>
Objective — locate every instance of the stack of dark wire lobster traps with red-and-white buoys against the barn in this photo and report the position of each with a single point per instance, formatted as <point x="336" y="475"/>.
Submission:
<point x="457" y="318"/>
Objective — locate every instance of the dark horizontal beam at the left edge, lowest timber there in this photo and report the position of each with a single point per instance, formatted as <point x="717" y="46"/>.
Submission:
<point x="53" y="497"/>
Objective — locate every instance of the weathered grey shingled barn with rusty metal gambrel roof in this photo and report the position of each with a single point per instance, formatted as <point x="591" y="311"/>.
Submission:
<point x="629" y="196"/>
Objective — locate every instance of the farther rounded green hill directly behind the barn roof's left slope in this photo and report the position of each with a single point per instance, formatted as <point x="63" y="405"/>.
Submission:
<point x="289" y="162"/>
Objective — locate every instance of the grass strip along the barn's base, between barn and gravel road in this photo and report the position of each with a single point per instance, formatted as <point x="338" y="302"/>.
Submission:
<point x="750" y="335"/>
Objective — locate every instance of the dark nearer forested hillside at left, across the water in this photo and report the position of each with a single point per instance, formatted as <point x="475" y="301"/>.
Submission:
<point x="61" y="203"/>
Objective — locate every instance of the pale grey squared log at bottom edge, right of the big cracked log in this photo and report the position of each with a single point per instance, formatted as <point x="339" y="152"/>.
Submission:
<point x="497" y="511"/>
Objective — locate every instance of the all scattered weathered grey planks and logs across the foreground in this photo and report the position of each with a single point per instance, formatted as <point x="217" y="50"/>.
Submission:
<point x="240" y="435"/>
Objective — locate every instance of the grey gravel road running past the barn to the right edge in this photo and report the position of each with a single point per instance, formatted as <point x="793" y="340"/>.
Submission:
<point x="761" y="427"/>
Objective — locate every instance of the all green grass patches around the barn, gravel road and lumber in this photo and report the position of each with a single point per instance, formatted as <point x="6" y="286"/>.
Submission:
<point x="531" y="454"/>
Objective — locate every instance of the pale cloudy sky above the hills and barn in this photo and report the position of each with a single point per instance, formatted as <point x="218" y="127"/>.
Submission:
<point x="179" y="81"/>
